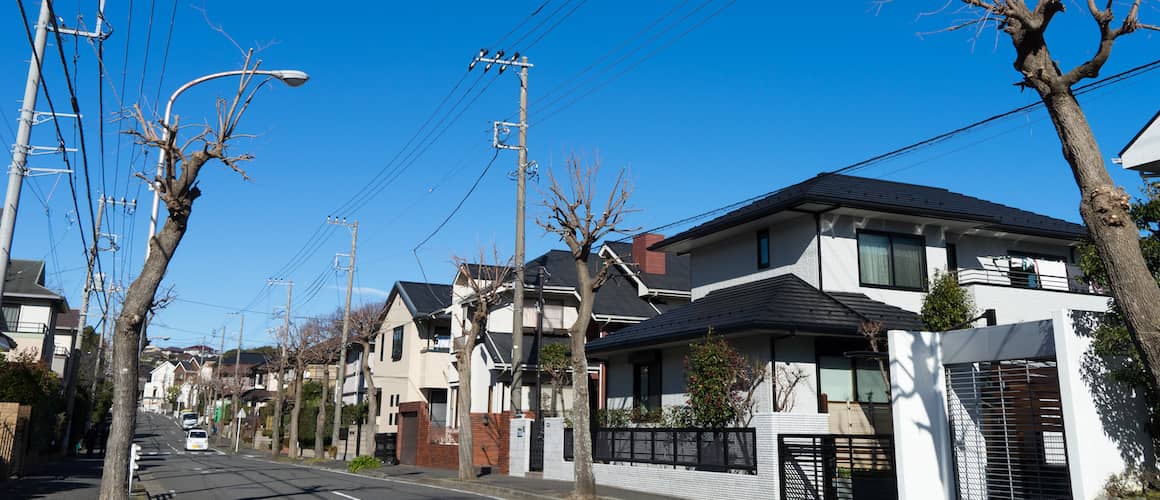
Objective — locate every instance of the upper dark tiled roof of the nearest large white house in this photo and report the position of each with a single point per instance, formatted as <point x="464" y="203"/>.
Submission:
<point x="889" y="197"/>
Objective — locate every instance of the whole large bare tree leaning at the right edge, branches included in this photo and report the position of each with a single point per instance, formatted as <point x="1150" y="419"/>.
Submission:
<point x="1104" y="206"/>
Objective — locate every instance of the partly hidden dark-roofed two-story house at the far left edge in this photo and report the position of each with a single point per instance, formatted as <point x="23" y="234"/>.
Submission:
<point x="31" y="313"/>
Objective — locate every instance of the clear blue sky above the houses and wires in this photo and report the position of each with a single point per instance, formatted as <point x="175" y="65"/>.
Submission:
<point x="751" y="100"/>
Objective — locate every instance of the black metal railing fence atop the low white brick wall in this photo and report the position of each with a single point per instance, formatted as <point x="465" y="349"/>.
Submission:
<point x="715" y="451"/>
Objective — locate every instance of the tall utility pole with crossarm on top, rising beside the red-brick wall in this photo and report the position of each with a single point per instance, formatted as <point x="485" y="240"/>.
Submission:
<point x="521" y="179"/>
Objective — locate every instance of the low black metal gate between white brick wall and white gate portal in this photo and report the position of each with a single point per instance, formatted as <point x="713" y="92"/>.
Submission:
<point x="837" y="467"/>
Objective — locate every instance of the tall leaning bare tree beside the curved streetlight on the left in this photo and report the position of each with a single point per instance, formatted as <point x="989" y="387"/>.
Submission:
<point x="178" y="189"/>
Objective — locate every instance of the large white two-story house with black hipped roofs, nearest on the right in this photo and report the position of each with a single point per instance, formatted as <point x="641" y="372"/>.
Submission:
<point x="791" y="278"/>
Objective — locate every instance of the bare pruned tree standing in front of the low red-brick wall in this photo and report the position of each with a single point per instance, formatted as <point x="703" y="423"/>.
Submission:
<point x="485" y="282"/>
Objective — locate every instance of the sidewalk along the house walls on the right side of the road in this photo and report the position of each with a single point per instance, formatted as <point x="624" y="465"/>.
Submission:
<point x="496" y="485"/>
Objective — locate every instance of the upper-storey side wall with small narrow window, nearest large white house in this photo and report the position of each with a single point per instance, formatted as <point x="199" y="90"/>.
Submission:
<point x="735" y="260"/>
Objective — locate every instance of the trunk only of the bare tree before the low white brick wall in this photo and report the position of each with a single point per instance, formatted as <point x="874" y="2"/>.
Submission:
<point x="585" y="483"/>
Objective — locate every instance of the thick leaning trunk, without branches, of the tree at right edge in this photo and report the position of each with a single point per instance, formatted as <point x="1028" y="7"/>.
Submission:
<point x="1105" y="209"/>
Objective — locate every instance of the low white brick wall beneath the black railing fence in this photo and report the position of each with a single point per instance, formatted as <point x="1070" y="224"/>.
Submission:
<point x="685" y="483"/>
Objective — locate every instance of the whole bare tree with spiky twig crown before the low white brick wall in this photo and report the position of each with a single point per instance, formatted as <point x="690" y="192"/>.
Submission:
<point x="572" y="216"/>
